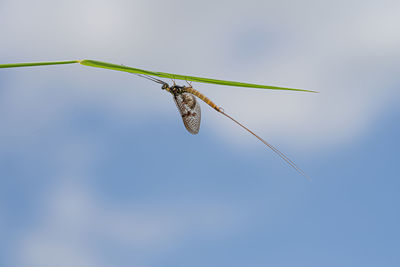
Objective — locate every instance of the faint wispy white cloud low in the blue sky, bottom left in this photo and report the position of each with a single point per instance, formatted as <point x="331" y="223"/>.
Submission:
<point x="75" y="228"/>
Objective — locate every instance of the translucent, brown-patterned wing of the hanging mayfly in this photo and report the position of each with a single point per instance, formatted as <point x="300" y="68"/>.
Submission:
<point x="190" y="111"/>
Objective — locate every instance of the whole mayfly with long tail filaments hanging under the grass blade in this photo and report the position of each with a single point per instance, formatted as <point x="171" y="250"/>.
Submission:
<point x="189" y="108"/>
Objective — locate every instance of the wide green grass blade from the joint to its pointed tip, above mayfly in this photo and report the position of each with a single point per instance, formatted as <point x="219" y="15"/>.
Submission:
<point x="105" y="65"/>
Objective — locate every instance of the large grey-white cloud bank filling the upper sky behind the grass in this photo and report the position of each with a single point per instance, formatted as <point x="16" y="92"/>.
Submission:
<point x="345" y="49"/>
